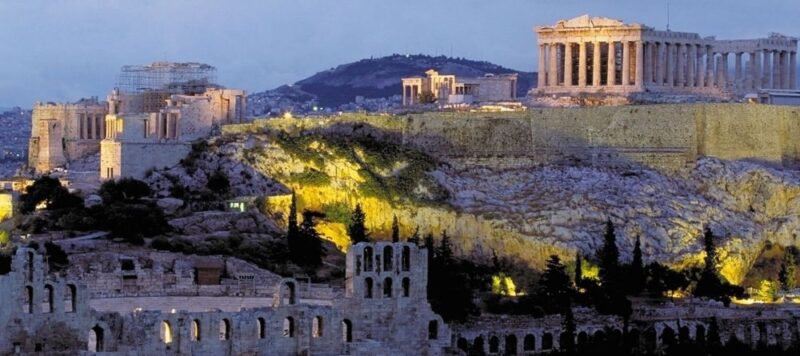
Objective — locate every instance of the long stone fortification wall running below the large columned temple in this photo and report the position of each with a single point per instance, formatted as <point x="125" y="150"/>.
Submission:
<point x="665" y="137"/>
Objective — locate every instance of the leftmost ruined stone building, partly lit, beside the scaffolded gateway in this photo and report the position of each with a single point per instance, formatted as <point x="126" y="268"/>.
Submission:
<point x="64" y="132"/>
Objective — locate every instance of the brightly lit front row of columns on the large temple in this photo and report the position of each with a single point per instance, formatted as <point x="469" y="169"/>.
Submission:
<point x="614" y="63"/>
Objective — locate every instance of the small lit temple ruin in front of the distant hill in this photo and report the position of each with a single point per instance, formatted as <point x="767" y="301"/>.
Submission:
<point x="449" y="91"/>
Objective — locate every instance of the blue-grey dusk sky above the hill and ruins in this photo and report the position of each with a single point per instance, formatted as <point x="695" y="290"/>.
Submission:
<point x="64" y="50"/>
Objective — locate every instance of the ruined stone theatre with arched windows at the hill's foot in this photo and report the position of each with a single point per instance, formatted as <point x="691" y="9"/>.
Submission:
<point x="135" y="305"/>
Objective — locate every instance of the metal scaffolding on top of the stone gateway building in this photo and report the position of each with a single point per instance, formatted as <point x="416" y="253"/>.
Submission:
<point x="157" y="81"/>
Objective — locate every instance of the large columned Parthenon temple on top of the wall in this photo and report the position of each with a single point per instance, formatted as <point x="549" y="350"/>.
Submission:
<point x="602" y="55"/>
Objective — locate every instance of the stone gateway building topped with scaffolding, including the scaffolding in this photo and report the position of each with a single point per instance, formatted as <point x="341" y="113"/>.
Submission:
<point x="157" y="111"/>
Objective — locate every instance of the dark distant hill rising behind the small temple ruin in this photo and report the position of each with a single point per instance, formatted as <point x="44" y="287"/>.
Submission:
<point x="377" y="78"/>
